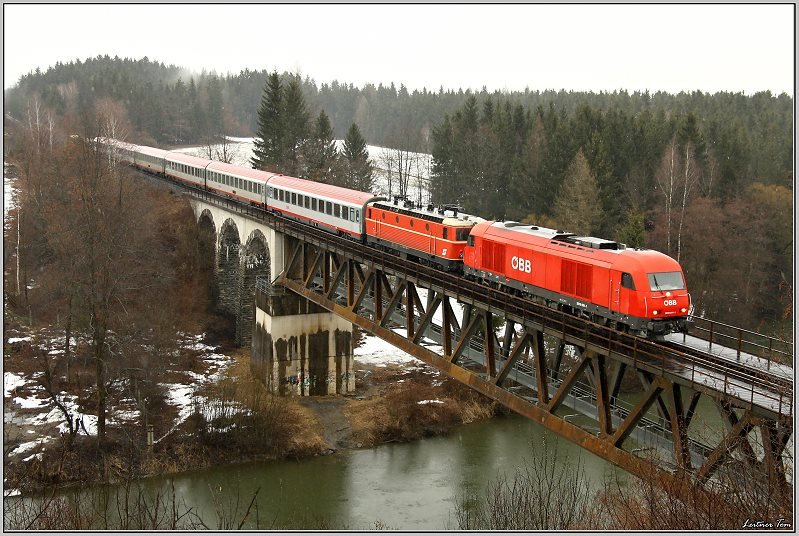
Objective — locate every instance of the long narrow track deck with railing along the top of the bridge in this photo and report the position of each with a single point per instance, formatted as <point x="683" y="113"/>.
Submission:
<point x="744" y="383"/>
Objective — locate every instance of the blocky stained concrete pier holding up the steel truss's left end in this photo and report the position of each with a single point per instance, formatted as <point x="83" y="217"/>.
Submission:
<point x="298" y="347"/>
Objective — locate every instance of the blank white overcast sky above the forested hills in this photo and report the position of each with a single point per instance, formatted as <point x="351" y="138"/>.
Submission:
<point x="672" y="48"/>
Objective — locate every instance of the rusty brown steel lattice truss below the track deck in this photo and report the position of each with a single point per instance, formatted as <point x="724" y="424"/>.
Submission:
<point x="387" y="303"/>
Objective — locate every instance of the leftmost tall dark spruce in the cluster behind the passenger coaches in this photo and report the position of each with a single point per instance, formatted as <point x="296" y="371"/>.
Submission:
<point x="268" y="143"/>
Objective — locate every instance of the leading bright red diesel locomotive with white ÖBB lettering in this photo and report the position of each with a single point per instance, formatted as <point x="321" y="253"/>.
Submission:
<point x="630" y="289"/>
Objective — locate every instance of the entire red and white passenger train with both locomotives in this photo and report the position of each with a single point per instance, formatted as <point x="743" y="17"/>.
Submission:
<point x="637" y="290"/>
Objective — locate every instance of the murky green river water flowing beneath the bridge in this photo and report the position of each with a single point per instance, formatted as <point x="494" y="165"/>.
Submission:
<point x="402" y="486"/>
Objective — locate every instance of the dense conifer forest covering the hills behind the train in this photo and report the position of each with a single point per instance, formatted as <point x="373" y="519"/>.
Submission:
<point x="706" y="178"/>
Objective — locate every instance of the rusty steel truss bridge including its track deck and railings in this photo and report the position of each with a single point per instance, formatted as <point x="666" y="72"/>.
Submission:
<point x="561" y="371"/>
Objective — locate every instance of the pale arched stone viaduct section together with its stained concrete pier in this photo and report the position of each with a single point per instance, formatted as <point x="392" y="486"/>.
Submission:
<point x="297" y="346"/>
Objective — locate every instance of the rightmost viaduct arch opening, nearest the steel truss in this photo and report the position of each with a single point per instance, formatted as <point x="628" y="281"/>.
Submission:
<point x="255" y="264"/>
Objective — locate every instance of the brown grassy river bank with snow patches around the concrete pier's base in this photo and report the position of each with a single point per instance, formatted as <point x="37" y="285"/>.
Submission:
<point x="213" y="413"/>
